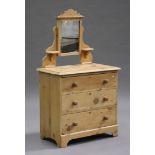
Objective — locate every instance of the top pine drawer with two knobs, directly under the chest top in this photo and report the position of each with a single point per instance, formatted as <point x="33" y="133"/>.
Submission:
<point x="89" y="82"/>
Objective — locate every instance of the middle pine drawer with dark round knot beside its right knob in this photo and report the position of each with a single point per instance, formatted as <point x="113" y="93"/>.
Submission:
<point x="82" y="101"/>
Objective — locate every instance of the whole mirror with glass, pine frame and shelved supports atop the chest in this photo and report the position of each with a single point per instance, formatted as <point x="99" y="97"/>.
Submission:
<point x="68" y="39"/>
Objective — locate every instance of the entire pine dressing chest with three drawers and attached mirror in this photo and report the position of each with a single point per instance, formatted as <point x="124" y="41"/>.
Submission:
<point x="75" y="100"/>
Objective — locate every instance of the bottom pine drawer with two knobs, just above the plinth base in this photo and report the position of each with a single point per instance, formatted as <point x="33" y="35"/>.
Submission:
<point x="88" y="120"/>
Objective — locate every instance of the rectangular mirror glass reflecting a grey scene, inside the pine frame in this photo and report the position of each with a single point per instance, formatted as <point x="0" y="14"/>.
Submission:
<point x="70" y="36"/>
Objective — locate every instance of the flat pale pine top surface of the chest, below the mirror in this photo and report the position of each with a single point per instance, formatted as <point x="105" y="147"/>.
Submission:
<point x="78" y="69"/>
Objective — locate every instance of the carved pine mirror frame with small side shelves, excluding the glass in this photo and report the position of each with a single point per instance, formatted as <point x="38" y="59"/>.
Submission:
<point x="54" y="50"/>
